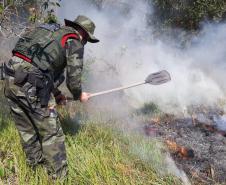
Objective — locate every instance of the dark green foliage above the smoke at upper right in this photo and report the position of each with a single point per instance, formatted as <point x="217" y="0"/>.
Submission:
<point x="187" y="14"/>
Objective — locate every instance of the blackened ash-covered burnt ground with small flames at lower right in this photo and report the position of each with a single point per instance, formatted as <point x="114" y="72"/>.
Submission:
<point x="203" y="136"/>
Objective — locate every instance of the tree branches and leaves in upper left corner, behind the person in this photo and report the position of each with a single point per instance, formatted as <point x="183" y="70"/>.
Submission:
<point x="16" y="16"/>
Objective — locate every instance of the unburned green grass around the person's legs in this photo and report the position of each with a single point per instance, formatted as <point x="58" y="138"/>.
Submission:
<point x="97" y="154"/>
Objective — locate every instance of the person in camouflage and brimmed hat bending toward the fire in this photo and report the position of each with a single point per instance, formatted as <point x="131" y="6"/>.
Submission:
<point x="33" y="75"/>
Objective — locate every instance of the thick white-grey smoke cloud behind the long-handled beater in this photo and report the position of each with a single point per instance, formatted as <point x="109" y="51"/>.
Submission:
<point x="130" y="50"/>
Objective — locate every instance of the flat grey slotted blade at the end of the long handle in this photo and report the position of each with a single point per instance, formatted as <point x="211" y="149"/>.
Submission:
<point x="158" y="78"/>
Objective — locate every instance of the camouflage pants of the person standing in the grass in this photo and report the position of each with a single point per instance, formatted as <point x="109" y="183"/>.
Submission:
<point x="41" y="134"/>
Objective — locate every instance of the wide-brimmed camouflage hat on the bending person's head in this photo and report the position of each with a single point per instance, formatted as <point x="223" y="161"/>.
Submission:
<point x="86" y="24"/>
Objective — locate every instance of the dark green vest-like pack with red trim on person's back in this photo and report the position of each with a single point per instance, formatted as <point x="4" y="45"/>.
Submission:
<point x="44" y="46"/>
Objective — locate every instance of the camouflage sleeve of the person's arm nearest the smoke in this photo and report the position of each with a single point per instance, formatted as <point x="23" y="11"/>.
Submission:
<point x="75" y="51"/>
